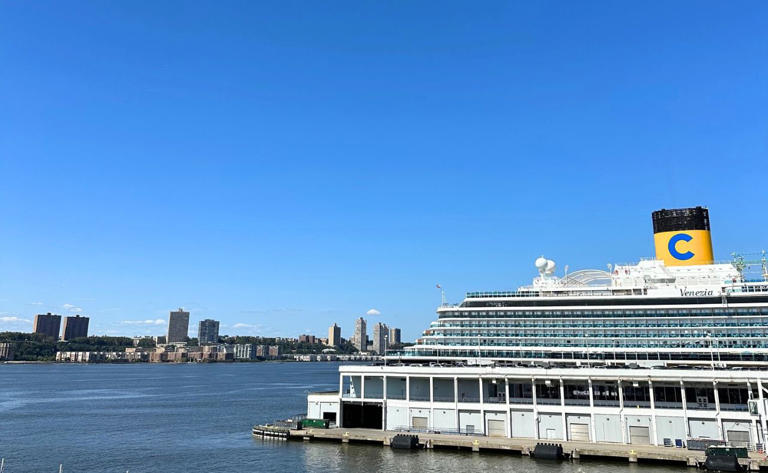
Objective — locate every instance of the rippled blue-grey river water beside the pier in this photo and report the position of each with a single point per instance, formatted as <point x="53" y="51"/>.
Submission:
<point x="197" y="417"/>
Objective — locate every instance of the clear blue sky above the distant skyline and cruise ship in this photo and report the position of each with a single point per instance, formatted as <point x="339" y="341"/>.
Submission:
<point x="280" y="166"/>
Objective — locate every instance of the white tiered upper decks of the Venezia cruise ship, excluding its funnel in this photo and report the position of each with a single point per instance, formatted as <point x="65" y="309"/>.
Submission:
<point x="647" y="313"/>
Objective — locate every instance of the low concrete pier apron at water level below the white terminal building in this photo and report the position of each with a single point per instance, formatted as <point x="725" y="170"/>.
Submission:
<point x="572" y="450"/>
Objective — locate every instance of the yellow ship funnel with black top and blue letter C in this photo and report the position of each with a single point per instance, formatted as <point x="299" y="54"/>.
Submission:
<point x="682" y="236"/>
